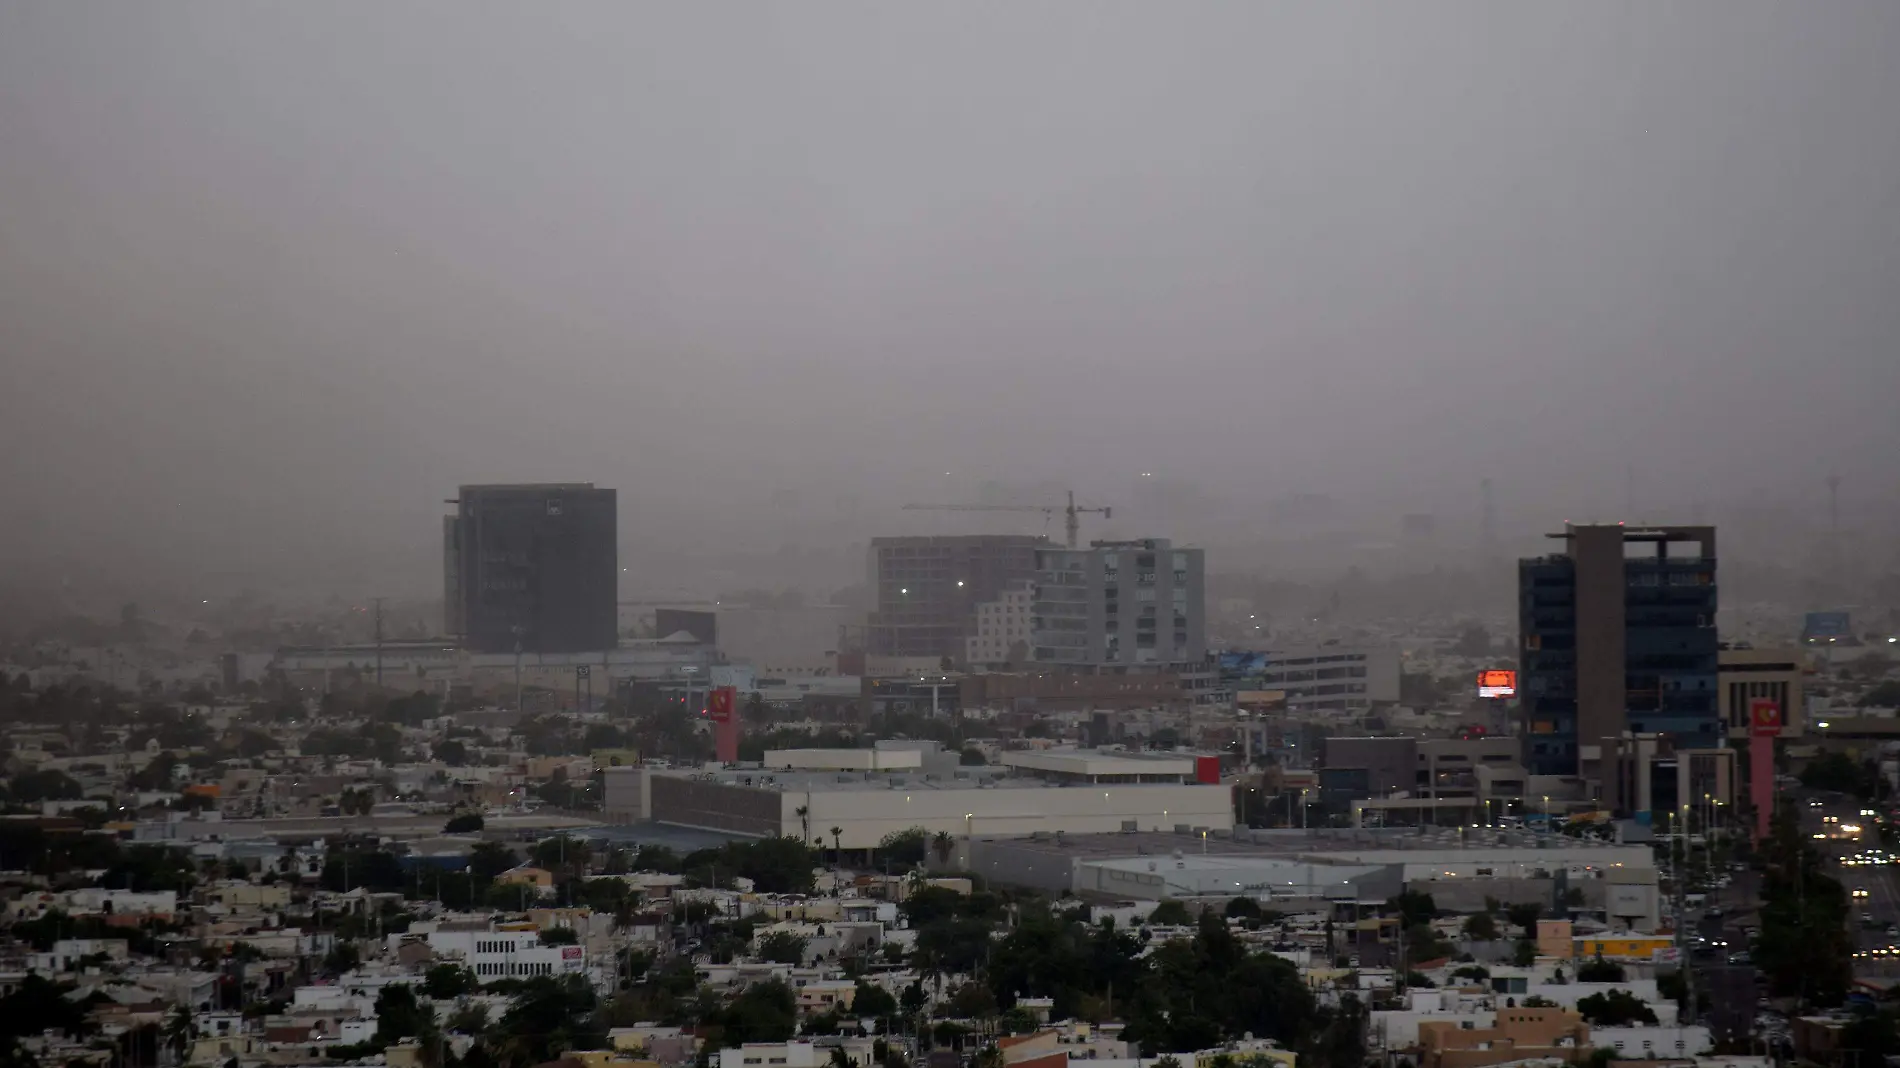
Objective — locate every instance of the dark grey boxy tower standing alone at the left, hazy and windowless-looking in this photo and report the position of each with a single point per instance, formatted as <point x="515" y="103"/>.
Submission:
<point x="533" y="565"/>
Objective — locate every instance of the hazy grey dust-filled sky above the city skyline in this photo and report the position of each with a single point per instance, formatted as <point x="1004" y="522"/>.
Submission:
<point x="275" y="278"/>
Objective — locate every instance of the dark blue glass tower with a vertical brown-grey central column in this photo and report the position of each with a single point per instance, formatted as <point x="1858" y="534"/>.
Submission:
<point x="1618" y="636"/>
